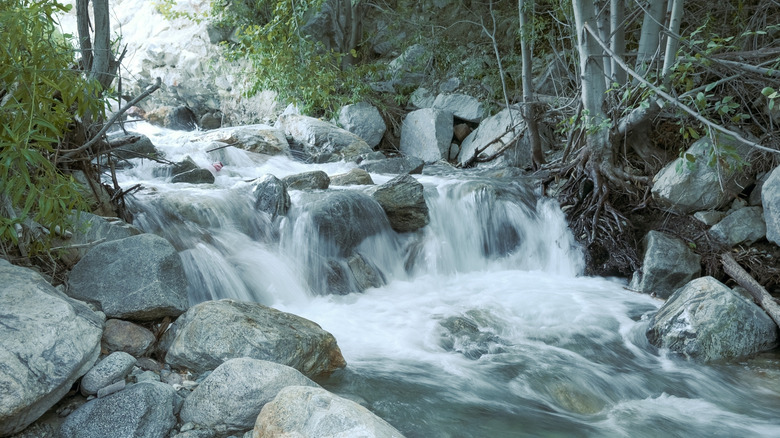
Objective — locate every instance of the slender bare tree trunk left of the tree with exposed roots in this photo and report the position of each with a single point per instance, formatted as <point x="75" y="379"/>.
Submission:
<point x="529" y="101"/>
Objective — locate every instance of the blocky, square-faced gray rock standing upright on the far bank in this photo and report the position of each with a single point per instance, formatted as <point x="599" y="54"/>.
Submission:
<point x="427" y="134"/>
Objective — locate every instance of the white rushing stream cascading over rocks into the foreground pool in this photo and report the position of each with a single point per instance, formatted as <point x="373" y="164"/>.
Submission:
<point x="485" y="327"/>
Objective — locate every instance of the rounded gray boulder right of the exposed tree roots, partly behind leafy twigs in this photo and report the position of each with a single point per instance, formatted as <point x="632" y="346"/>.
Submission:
<point x="690" y="184"/>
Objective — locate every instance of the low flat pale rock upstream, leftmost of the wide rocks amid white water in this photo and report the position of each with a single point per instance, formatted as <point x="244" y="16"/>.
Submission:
<point x="261" y="139"/>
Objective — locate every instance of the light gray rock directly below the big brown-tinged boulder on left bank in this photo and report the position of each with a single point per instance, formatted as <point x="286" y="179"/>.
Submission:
<point x="235" y="392"/>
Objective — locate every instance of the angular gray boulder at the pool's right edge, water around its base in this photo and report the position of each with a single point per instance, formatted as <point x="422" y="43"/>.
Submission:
<point x="705" y="320"/>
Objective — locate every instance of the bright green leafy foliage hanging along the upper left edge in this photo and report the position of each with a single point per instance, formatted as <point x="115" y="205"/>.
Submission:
<point x="40" y="94"/>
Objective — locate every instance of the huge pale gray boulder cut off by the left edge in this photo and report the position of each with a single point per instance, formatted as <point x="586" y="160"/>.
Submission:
<point x="47" y="341"/>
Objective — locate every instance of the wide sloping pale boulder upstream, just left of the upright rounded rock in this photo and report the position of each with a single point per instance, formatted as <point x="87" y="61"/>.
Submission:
<point x="322" y="140"/>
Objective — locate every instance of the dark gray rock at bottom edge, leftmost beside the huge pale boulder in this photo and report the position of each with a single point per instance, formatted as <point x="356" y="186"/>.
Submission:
<point x="143" y="410"/>
